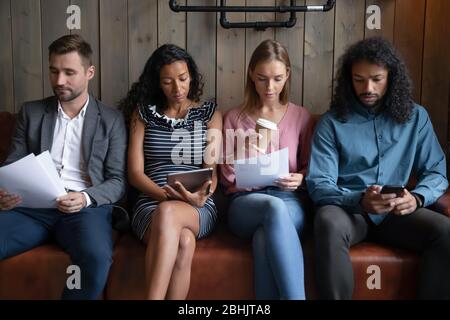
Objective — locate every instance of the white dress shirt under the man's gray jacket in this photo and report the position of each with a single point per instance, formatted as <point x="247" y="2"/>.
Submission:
<point x="67" y="152"/>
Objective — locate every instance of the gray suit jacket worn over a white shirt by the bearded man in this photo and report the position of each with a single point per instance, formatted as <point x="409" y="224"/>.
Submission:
<point x="104" y="144"/>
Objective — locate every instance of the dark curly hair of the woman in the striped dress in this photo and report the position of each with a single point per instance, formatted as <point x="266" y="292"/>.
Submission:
<point x="147" y="90"/>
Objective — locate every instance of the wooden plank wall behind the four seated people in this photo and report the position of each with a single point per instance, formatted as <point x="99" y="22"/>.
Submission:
<point x="123" y="33"/>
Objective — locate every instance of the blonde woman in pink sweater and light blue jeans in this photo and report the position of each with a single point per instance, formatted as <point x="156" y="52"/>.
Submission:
<point x="273" y="217"/>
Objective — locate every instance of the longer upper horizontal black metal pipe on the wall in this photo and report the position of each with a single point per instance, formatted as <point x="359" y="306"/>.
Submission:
<point x="325" y="7"/>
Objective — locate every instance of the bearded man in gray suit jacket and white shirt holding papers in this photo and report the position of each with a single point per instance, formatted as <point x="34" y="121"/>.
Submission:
<point x="87" y="142"/>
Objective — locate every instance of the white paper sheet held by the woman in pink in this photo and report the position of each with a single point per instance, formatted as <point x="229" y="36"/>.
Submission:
<point x="263" y="170"/>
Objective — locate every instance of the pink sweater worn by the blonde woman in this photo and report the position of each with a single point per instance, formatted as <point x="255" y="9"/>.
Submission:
<point x="295" y="132"/>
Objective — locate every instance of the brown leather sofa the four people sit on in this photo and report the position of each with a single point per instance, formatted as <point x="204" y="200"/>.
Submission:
<point x="222" y="266"/>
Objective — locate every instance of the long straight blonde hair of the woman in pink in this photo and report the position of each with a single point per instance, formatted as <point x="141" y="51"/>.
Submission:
<point x="267" y="51"/>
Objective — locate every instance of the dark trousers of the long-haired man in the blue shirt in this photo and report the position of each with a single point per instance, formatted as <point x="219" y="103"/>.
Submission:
<point x="425" y="232"/>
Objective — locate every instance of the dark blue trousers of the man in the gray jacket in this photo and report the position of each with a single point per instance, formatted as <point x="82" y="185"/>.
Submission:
<point x="86" y="236"/>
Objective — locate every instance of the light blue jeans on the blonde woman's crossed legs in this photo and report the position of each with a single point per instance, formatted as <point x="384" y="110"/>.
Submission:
<point x="273" y="219"/>
